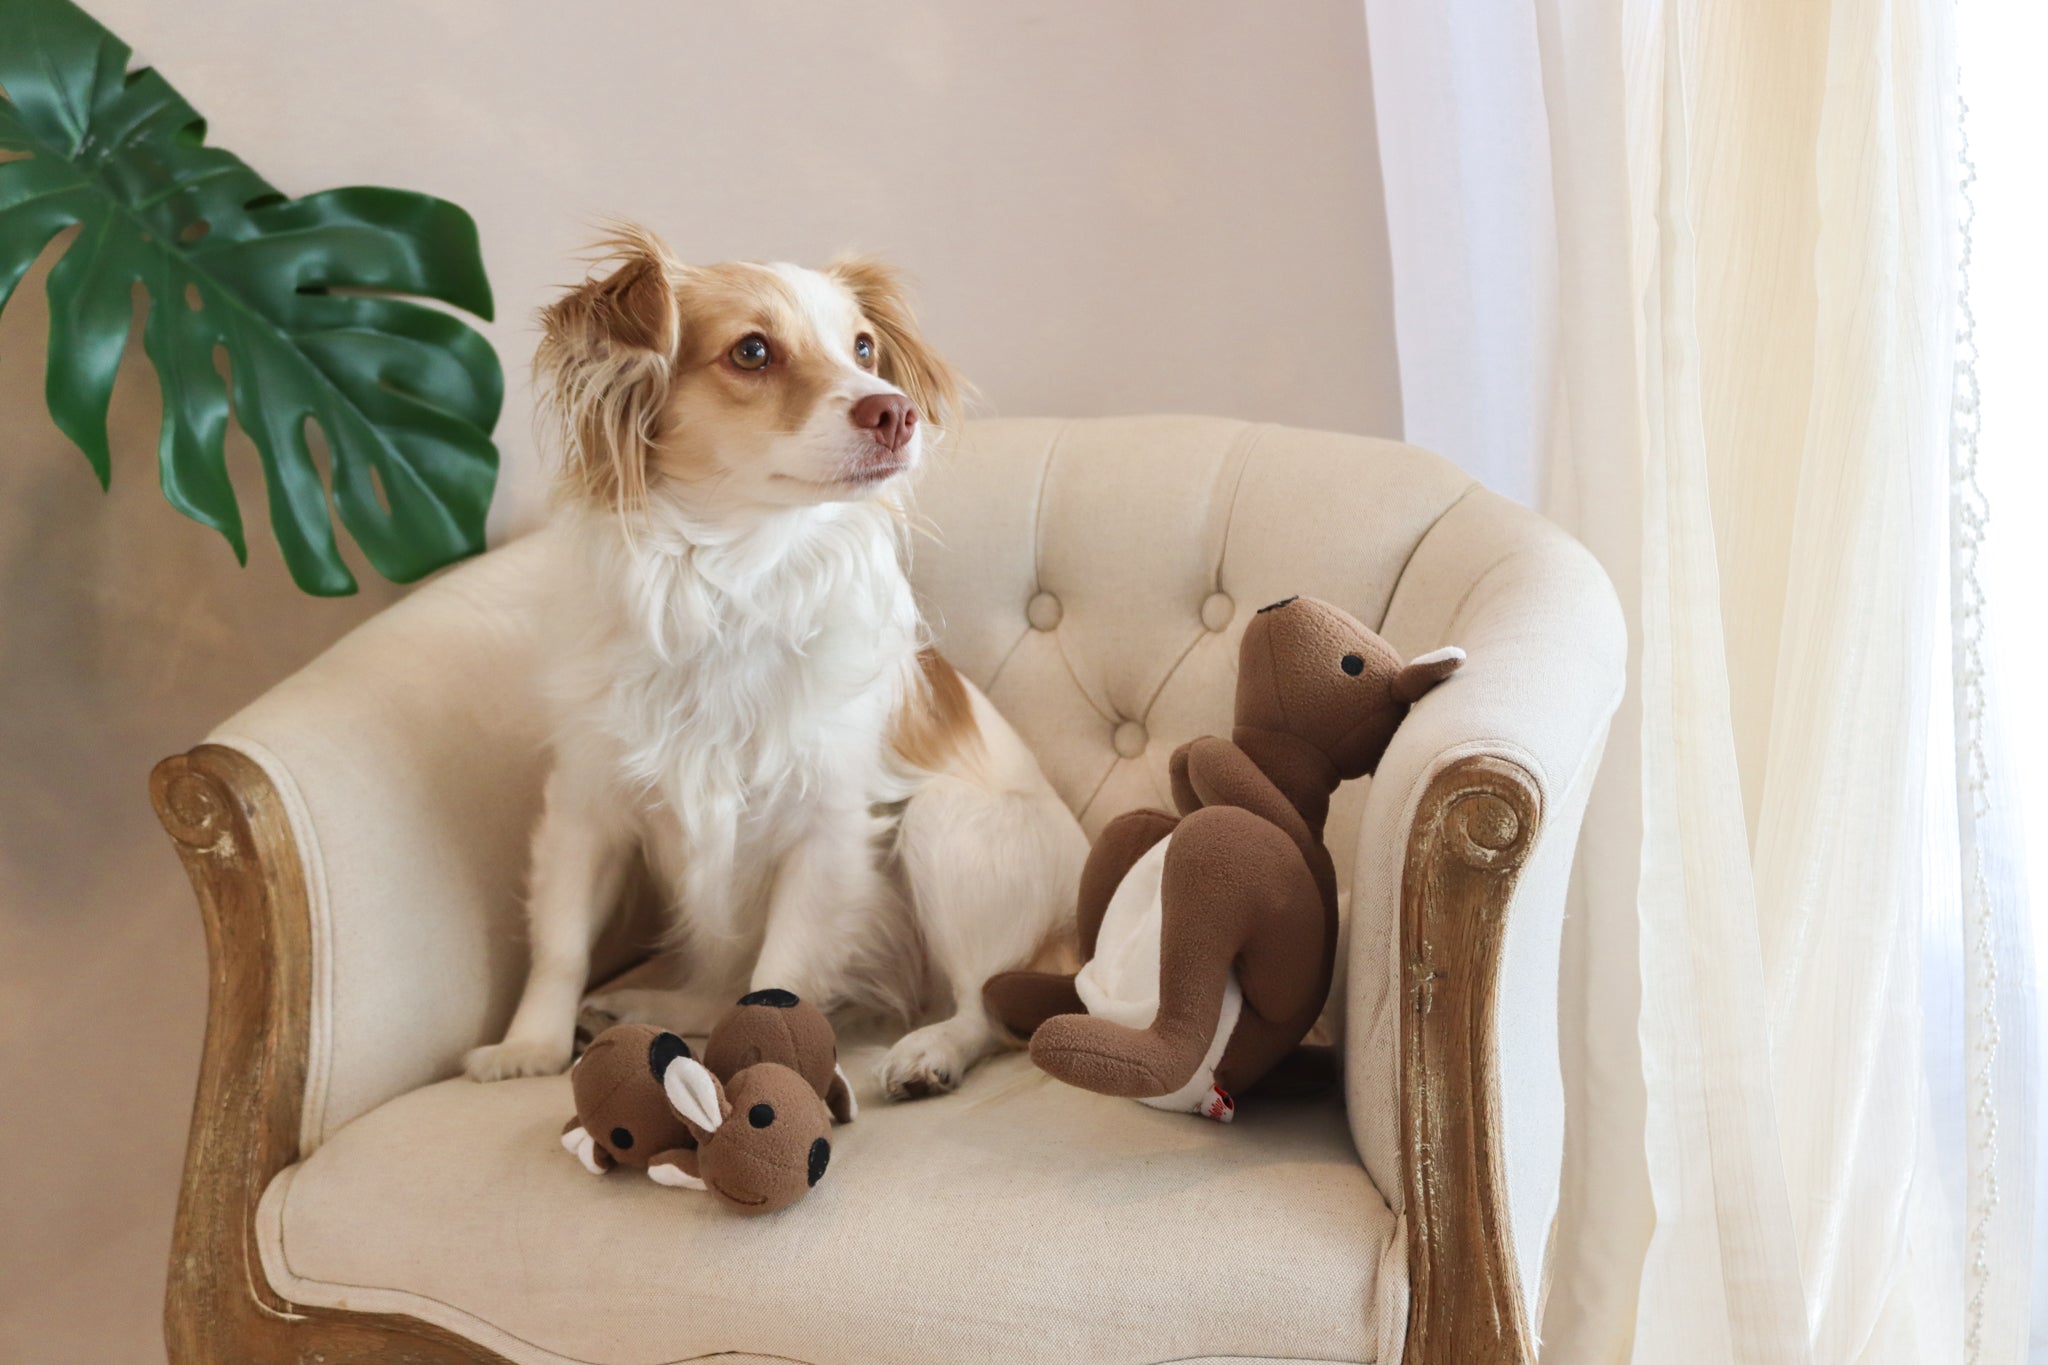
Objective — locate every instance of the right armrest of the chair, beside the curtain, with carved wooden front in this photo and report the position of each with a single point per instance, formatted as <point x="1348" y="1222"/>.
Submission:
<point x="1457" y="916"/>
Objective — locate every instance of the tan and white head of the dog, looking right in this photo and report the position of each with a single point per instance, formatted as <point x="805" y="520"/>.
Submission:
<point x="746" y="384"/>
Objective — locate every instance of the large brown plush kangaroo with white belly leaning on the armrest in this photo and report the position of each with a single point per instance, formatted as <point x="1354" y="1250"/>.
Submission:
<point x="1209" y="938"/>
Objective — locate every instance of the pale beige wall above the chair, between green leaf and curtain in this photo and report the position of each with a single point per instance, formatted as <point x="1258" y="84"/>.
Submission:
<point x="1113" y="206"/>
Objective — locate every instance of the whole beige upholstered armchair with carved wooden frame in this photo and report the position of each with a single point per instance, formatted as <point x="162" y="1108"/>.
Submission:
<point x="359" y="840"/>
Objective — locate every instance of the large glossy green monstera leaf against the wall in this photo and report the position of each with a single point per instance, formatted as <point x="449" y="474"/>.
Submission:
<point x="300" y="300"/>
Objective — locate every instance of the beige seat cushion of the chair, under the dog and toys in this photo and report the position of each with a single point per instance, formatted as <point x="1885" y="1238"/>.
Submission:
<point x="1013" y="1221"/>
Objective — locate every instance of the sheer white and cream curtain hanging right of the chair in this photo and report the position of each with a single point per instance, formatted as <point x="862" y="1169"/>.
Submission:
<point x="1744" y="347"/>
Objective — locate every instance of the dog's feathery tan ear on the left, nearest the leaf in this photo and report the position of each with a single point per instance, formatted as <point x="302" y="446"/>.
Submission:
<point x="605" y="365"/>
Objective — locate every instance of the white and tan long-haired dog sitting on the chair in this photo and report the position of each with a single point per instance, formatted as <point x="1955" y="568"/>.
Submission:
<point x="742" y="687"/>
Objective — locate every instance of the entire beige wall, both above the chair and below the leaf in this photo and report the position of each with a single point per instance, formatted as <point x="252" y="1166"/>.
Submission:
<point x="1113" y="208"/>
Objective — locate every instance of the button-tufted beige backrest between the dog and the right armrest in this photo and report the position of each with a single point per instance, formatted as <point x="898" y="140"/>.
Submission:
<point x="1095" y="576"/>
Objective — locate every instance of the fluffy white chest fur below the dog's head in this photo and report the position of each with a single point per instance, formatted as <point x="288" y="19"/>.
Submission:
<point x="736" y="685"/>
